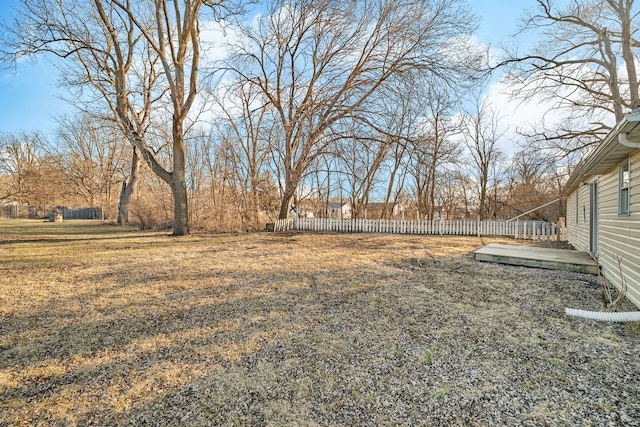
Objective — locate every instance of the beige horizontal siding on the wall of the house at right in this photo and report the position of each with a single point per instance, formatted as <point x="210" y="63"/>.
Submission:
<point x="619" y="235"/>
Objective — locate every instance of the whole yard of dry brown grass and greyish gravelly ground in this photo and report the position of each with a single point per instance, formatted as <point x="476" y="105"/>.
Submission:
<point x="101" y="326"/>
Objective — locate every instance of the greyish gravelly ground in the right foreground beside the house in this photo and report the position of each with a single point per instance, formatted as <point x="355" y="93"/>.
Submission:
<point x="442" y="342"/>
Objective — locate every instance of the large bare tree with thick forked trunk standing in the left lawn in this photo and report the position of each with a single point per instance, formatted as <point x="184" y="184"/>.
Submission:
<point x="134" y="54"/>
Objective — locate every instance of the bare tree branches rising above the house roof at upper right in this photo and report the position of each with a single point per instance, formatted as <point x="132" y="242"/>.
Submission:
<point x="584" y="62"/>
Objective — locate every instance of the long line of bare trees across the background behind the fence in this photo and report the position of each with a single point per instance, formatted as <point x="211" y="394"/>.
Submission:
<point x="313" y="102"/>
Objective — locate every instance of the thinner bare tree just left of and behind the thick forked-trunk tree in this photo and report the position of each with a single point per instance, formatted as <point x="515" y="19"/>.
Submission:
<point x="101" y="51"/>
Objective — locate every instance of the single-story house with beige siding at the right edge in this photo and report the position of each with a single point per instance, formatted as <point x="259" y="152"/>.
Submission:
<point x="603" y="205"/>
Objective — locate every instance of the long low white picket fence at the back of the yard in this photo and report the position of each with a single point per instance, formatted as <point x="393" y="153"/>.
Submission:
<point x="530" y="230"/>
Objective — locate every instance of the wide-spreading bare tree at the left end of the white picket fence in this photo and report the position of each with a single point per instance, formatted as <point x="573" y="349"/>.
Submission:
<point x="319" y="62"/>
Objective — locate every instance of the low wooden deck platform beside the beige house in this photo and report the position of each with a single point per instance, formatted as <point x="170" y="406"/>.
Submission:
<point x="556" y="259"/>
